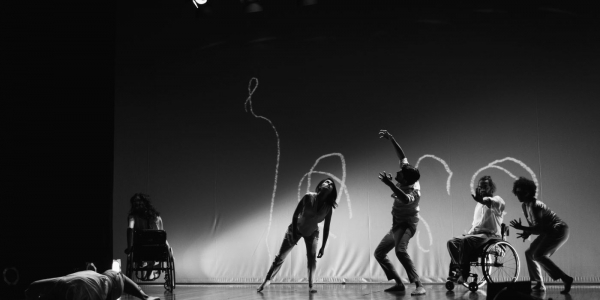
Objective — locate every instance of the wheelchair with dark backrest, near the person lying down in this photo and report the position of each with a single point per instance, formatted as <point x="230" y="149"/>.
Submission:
<point x="150" y="256"/>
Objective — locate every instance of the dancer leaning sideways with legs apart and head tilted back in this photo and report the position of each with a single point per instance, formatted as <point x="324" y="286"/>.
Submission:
<point x="313" y="209"/>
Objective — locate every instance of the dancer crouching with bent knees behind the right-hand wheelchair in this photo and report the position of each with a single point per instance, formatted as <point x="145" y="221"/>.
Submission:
<point x="552" y="231"/>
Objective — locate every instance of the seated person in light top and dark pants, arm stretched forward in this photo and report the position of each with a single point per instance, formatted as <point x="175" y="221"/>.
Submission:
<point x="487" y="223"/>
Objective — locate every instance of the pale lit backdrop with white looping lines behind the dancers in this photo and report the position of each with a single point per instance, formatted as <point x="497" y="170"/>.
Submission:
<point x="226" y="180"/>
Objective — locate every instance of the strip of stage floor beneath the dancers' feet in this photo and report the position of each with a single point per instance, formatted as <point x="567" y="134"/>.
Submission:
<point x="346" y="292"/>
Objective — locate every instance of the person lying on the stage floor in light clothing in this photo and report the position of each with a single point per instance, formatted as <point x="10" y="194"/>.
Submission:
<point x="85" y="285"/>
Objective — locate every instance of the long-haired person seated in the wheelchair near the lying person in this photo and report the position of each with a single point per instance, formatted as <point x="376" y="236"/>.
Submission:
<point x="143" y="215"/>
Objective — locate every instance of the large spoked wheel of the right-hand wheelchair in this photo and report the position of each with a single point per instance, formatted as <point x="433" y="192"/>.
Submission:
<point x="500" y="262"/>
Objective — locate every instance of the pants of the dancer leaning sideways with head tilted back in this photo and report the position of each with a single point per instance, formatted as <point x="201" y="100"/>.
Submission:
<point x="289" y="241"/>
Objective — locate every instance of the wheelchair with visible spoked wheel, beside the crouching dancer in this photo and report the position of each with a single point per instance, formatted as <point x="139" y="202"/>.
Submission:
<point x="496" y="261"/>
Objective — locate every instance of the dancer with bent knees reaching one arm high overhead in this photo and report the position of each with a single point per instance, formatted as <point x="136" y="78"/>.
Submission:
<point x="405" y="212"/>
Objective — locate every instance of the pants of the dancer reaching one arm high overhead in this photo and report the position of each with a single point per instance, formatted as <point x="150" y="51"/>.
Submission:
<point x="396" y="239"/>
